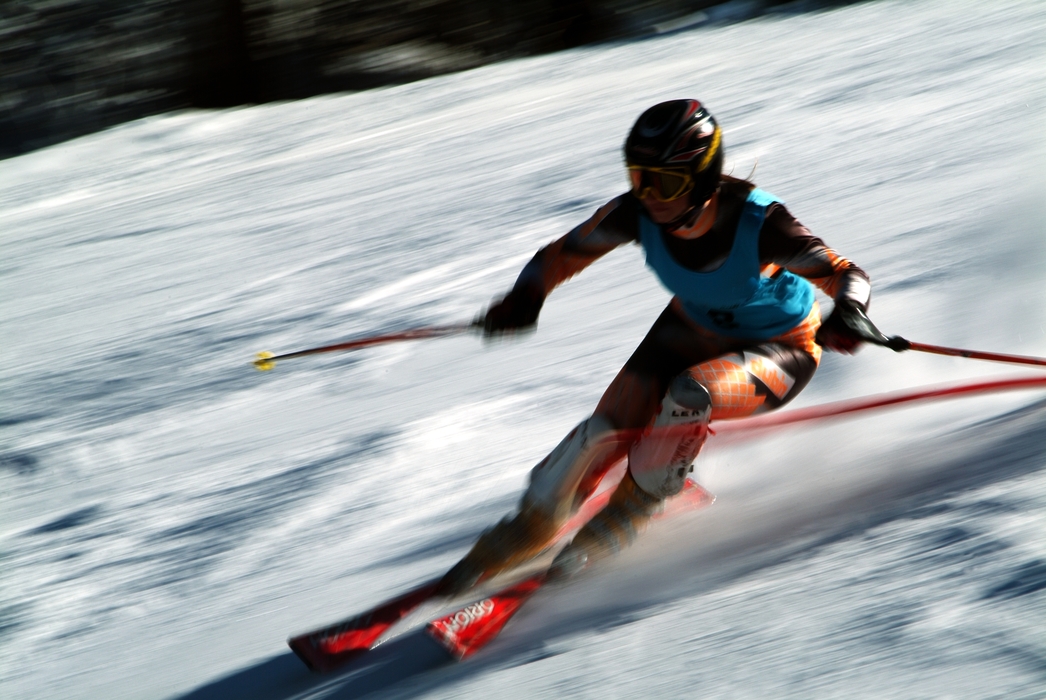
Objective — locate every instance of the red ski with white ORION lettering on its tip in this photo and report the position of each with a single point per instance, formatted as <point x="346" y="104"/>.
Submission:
<point x="466" y="631"/>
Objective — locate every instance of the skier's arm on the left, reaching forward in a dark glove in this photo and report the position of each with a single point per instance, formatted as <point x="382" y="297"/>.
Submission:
<point x="611" y="227"/>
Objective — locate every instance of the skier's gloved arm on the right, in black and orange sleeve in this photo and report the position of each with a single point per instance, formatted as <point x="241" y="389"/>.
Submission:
<point x="788" y="244"/>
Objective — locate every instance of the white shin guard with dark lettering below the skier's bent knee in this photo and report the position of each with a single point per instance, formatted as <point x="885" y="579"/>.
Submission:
<point x="661" y="462"/>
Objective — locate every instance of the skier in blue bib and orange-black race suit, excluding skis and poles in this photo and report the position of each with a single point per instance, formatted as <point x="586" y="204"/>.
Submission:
<point x="742" y="335"/>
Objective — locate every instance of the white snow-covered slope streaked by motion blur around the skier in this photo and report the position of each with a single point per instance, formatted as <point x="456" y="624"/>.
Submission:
<point x="170" y="516"/>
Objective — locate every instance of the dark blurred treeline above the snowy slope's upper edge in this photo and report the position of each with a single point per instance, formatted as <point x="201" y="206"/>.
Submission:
<point x="72" y="67"/>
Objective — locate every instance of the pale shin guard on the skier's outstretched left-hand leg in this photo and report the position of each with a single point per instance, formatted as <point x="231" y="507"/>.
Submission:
<point x="555" y="480"/>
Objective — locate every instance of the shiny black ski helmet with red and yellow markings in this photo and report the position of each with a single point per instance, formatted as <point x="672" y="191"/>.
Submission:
<point x="678" y="137"/>
